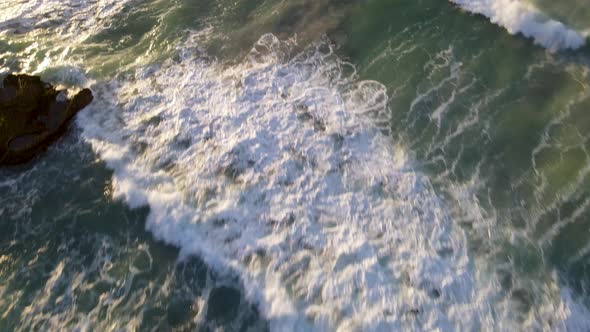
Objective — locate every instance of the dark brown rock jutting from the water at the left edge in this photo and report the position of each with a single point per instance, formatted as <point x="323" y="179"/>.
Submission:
<point x="33" y="115"/>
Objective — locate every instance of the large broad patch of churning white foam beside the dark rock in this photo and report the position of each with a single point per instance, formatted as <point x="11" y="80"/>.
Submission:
<point x="278" y="169"/>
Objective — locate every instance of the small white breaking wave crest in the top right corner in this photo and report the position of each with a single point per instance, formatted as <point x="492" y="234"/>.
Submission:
<point x="519" y="17"/>
